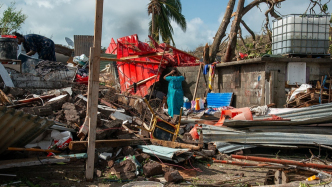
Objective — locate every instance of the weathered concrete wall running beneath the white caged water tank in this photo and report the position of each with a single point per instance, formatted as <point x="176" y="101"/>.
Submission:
<point x="258" y="81"/>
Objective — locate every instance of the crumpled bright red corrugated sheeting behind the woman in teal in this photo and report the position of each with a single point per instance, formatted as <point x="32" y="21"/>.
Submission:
<point x="137" y="69"/>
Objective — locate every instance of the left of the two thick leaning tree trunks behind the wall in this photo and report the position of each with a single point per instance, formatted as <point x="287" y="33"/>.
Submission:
<point x="233" y="34"/>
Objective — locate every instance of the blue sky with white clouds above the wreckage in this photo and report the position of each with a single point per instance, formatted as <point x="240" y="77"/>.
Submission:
<point x="58" y="19"/>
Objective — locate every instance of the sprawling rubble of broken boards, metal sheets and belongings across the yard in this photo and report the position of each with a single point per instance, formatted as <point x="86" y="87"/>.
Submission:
<point x="136" y="139"/>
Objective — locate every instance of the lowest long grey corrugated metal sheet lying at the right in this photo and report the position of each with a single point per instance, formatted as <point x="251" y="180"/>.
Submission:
<point x="217" y="134"/>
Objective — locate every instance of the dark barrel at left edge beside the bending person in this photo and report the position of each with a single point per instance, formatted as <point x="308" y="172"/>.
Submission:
<point x="8" y="48"/>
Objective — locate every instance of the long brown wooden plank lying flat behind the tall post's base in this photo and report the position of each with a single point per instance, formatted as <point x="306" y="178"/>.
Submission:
<point x="82" y="145"/>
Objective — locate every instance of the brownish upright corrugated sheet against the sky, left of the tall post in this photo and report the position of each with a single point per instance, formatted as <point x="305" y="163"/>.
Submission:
<point x="82" y="44"/>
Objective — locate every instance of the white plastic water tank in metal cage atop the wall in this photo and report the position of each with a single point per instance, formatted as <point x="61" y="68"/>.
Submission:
<point x="301" y="34"/>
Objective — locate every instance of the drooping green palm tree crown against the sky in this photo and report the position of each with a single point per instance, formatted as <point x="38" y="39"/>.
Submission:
<point x="163" y="11"/>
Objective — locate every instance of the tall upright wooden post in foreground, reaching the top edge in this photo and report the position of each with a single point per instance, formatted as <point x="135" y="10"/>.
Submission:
<point x="93" y="89"/>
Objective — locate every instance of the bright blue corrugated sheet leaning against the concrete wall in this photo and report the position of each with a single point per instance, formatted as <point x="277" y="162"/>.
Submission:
<point x="216" y="100"/>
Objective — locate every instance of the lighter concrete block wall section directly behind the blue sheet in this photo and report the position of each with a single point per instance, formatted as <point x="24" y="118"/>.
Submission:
<point x="251" y="87"/>
